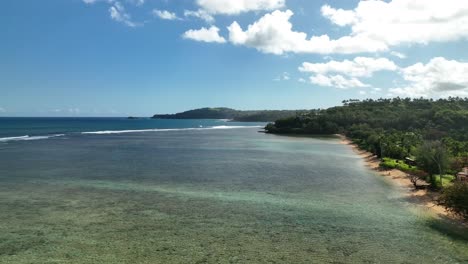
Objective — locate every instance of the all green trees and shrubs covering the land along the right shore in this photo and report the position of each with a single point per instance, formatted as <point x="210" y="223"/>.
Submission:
<point x="426" y="138"/>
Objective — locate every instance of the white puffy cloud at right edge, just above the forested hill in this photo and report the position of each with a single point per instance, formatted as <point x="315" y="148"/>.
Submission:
<point x="438" y="78"/>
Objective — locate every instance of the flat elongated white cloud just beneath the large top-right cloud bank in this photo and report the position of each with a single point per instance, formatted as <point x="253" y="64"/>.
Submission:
<point x="358" y="67"/>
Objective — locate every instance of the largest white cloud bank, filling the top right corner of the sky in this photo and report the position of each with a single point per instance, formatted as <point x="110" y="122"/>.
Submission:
<point x="375" y="26"/>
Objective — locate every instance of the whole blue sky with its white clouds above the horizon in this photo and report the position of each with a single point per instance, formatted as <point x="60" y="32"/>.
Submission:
<point x="141" y="57"/>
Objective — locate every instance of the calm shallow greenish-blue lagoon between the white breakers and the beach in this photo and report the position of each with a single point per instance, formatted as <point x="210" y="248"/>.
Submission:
<point x="207" y="196"/>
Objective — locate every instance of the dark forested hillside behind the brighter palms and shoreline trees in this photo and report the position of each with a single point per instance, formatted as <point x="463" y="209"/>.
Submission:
<point x="401" y="122"/>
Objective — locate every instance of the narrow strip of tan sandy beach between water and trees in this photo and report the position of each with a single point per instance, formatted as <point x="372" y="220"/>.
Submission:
<point x="422" y="198"/>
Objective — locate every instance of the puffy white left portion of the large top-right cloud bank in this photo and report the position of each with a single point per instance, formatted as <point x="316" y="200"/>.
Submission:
<point x="273" y="33"/>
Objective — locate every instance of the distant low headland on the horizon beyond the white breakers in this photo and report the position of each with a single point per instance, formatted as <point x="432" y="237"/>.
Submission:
<point x="232" y="114"/>
